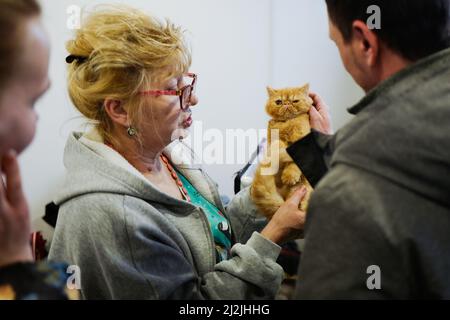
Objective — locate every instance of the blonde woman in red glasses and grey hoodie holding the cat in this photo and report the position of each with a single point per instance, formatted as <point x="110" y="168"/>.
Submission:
<point x="139" y="224"/>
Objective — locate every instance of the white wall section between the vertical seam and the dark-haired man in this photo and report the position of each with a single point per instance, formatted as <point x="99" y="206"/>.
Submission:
<point x="304" y="53"/>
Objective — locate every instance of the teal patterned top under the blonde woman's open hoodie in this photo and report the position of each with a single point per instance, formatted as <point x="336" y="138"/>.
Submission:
<point x="220" y="227"/>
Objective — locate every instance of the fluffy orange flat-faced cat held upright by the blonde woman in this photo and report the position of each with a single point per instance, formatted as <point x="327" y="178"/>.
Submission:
<point x="278" y="176"/>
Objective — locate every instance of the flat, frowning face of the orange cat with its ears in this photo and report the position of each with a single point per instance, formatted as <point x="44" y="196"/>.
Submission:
<point x="285" y="104"/>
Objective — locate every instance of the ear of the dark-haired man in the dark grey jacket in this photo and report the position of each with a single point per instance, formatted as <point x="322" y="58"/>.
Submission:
<point x="366" y="43"/>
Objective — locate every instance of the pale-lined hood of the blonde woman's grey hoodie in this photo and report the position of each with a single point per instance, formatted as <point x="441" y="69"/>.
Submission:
<point x="93" y="167"/>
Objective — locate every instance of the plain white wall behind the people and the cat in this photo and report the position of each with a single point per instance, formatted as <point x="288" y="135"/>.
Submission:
<point x="239" y="47"/>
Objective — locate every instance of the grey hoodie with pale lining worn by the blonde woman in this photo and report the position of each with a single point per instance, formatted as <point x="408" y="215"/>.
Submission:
<point x="132" y="241"/>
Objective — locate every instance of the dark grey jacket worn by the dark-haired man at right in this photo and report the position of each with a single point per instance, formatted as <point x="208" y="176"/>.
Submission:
<point x="385" y="201"/>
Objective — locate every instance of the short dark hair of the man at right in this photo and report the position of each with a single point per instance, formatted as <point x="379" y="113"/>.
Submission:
<point x="413" y="28"/>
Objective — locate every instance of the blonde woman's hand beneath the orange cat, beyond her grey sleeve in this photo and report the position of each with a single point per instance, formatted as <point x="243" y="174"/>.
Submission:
<point x="288" y="221"/>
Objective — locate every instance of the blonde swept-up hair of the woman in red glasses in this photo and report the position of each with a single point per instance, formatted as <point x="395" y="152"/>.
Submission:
<point x="116" y="53"/>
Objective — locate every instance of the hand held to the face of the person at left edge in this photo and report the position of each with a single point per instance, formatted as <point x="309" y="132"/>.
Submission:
<point x="14" y="216"/>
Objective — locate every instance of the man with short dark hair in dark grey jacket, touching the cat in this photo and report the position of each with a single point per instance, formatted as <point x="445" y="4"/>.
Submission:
<point x="378" y="224"/>
